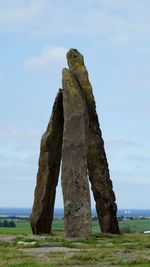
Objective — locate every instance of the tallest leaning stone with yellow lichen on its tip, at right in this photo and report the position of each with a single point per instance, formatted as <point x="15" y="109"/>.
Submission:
<point x="97" y="161"/>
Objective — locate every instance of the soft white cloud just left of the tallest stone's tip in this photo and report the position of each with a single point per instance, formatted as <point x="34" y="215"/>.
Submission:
<point x="50" y="58"/>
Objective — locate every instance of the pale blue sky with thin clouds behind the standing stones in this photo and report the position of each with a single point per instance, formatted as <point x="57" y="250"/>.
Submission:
<point x="114" y="37"/>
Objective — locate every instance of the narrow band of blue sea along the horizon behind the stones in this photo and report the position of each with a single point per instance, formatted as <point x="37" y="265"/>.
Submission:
<point x="59" y="213"/>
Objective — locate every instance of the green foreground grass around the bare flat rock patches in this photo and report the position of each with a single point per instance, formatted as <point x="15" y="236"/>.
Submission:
<point x="126" y="250"/>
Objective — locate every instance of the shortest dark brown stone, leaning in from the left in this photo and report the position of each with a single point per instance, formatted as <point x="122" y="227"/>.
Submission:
<point x="48" y="172"/>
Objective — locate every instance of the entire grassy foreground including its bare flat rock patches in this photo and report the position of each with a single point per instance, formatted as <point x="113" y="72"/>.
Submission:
<point x="54" y="250"/>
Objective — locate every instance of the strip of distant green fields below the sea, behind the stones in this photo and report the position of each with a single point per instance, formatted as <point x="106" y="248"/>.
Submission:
<point x="23" y="227"/>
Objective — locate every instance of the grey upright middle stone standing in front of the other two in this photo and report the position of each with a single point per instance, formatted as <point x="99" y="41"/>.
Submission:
<point x="77" y="209"/>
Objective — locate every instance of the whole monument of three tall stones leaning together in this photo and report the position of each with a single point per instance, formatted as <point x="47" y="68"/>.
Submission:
<point x="73" y="135"/>
